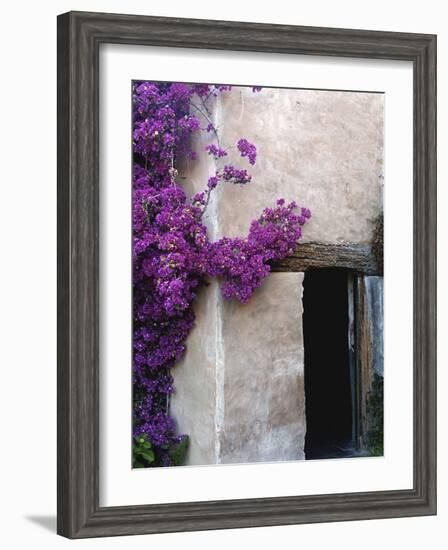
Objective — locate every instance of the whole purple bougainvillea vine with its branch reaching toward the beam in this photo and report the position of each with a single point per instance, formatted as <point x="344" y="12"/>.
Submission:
<point x="173" y="256"/>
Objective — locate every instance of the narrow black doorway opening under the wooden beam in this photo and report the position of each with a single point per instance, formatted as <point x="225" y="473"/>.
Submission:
<point x="327" y="366"/>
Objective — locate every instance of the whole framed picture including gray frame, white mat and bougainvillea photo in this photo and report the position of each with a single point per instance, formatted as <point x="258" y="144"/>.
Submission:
<point x="246" y="274"/>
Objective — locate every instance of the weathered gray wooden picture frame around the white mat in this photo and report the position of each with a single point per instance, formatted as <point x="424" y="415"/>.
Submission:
<point x="79" y="37"/>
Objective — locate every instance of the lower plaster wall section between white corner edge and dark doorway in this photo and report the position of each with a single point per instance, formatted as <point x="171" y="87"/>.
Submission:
<point x="263" y="416"/>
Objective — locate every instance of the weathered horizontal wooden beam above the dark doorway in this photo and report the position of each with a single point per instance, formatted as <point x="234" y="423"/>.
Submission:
<point x="358" y="257"/>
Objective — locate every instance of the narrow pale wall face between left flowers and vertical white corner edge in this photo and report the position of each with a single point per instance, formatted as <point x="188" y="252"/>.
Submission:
<point x="194" y="403"/>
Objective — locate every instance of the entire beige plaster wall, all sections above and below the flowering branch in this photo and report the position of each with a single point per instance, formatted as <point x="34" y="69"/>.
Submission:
<point x="240" y="388"/>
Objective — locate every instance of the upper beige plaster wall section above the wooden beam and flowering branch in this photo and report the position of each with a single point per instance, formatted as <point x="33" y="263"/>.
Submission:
<point x="322" y="149"/>
